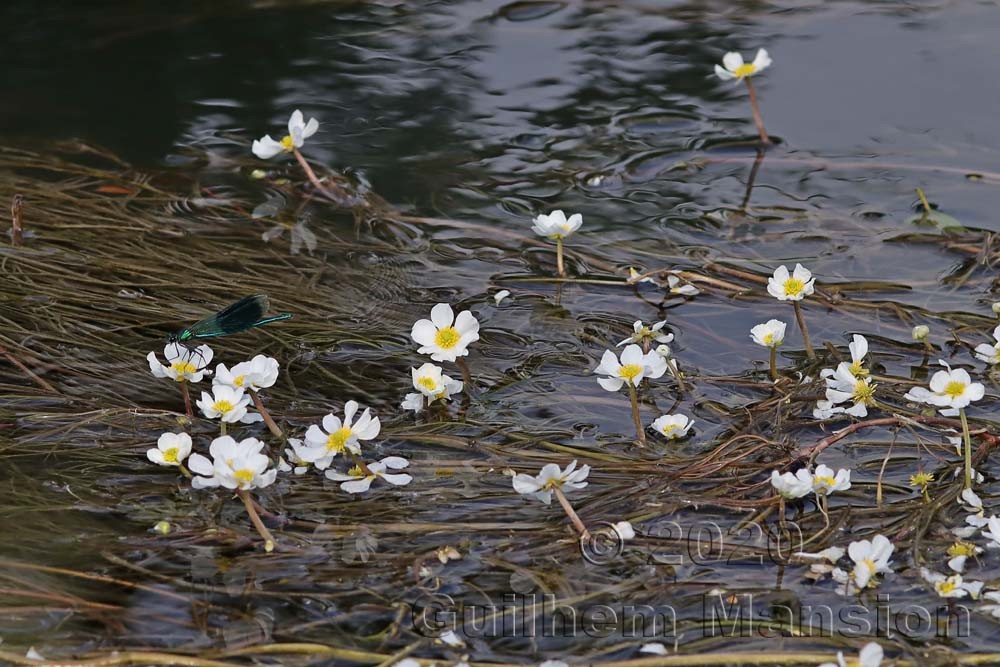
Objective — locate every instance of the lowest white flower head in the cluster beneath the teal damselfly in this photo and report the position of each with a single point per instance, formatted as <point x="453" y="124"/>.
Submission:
<point x="234" y="465"/>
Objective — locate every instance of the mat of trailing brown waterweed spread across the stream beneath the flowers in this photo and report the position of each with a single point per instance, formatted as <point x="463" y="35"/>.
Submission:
<point x="114" y="259"/>
